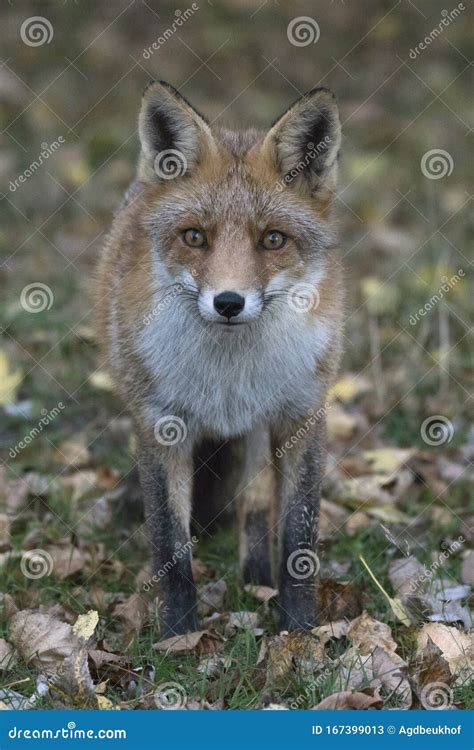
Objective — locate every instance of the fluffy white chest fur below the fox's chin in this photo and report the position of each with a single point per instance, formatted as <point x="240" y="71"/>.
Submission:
<point x="224" y="382"/>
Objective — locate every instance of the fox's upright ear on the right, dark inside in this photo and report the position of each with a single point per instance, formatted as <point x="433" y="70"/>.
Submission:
<point x="305" y="142"/>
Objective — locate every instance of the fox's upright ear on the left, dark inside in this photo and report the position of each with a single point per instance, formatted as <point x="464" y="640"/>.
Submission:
<point x="173" y="136"/>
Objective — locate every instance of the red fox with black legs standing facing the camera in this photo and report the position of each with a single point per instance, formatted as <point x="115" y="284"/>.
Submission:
<point x="220" y="312"/>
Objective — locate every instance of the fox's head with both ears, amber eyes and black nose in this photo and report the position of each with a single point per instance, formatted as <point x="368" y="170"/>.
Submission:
<point x="239" y="222"/>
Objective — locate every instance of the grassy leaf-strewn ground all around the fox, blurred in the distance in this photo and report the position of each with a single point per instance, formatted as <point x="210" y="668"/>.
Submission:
<point x="398" y="485"/>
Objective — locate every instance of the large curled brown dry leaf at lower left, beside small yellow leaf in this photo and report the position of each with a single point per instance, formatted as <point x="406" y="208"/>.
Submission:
<point x="42" y="640"/>
